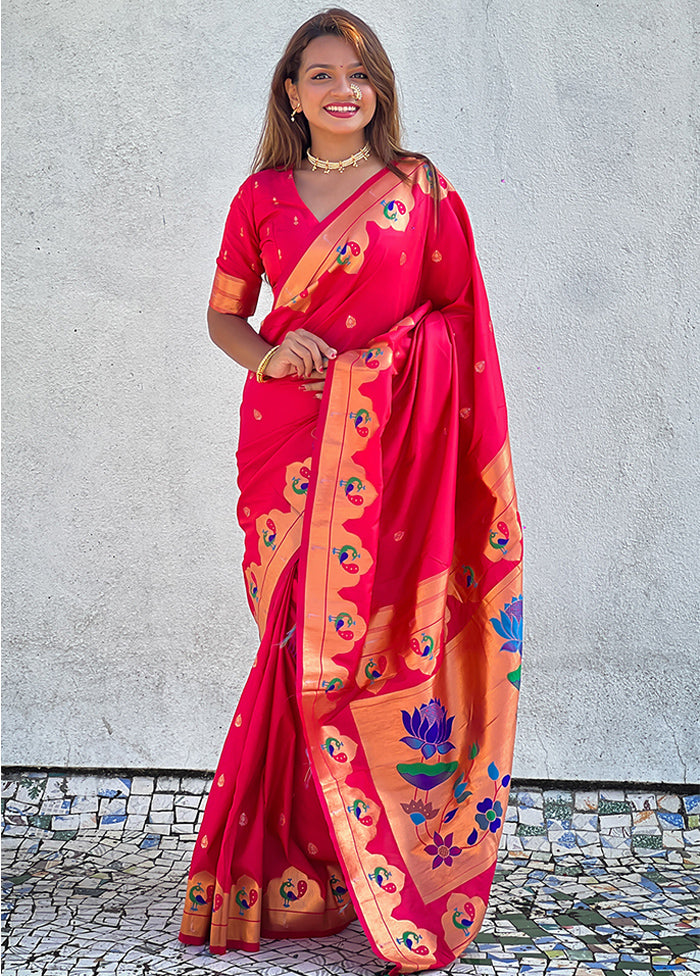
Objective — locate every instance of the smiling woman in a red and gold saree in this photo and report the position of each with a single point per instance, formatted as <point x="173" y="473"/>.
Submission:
<point x="366" y="770"/>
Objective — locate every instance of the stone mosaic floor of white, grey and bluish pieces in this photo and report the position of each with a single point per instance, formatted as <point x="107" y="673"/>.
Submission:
<point x="590" y="882"/>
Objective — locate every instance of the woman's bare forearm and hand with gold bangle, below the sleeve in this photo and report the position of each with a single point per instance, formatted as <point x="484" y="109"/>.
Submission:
<point x="301" y="353"/>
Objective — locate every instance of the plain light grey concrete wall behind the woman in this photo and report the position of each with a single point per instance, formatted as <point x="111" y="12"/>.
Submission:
<point x="569" y="130"/>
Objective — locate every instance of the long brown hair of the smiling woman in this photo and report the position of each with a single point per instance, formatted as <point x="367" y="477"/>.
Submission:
<point x="283" y="143"/>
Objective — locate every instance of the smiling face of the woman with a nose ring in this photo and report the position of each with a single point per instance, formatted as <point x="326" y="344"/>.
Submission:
<point x="329" y="66"/>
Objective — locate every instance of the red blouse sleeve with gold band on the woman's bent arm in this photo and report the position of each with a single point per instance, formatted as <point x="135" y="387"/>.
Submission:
<point x="239" y="266"/>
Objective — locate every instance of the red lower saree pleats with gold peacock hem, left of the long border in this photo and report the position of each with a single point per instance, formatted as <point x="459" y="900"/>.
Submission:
<point x="264" y="865"/>
